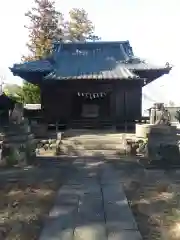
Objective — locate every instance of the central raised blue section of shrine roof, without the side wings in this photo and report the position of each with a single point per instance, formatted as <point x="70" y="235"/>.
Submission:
<point x="92" y="61"/>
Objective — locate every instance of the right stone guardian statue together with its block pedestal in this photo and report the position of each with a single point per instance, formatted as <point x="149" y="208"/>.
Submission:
<point x="161" y="138"/>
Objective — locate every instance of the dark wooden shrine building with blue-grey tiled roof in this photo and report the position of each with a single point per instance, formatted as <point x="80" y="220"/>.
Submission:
<point x="93" y="84"/>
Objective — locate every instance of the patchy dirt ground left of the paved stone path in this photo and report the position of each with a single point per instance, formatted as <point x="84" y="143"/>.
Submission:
<point x="26" y="198"/>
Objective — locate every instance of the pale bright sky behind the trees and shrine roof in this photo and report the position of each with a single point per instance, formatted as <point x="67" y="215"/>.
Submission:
<point x="149" y="25"/>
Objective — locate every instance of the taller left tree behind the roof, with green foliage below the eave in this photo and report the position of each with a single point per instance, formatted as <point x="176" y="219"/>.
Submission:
<point x="46" y="26"/>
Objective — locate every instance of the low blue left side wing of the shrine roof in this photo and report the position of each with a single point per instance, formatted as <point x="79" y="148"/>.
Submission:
<point x="33" y="66"/>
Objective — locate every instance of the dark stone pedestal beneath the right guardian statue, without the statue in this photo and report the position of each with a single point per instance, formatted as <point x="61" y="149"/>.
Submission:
<point x="162" y="142"/>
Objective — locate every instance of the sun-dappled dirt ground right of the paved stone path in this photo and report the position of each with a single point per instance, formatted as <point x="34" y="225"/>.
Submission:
<point x="154" y="197"/>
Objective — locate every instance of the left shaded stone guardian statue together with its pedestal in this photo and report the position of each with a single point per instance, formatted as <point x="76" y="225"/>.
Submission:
<point x="18" y="146"/>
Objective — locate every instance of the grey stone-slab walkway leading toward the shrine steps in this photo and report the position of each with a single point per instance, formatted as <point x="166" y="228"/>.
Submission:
<point x="91" y="206"/>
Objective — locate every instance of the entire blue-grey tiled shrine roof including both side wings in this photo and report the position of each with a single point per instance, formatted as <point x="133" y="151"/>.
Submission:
<point x="98" y="60"/>
